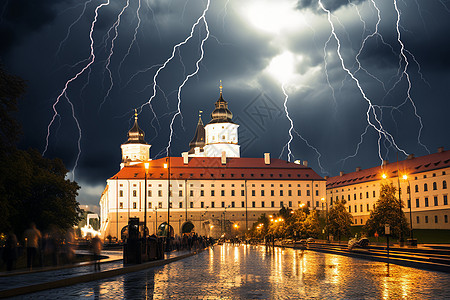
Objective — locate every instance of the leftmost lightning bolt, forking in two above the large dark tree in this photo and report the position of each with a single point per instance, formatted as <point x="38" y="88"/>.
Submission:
<point x="66" y="86"/>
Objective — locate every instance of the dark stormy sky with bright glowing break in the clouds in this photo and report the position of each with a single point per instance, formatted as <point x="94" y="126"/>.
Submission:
<point x="399" y="64"/>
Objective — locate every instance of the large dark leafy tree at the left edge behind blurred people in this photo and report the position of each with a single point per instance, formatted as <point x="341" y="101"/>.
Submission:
<point x="32" y="188"/>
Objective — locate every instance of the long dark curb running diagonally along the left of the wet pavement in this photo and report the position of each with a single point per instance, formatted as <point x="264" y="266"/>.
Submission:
<point x="89" y="277"/>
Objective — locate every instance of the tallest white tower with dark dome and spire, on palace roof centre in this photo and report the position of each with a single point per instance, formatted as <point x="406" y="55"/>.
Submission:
<point x="221" y="133"/>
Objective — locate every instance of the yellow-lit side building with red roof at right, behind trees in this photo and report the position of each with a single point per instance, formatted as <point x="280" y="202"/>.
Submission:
<point x="423" y="189"/>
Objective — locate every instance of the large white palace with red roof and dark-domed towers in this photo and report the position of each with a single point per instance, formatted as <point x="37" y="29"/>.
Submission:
<point x="209" y="190"/>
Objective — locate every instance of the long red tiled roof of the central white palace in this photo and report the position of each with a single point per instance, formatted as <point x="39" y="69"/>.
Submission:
<point x="212" y="168"/>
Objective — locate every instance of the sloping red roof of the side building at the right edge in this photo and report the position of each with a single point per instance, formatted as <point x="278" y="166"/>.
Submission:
<point x="409" y="166"/>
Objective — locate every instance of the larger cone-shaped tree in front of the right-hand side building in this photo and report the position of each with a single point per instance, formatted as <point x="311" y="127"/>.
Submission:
<point x="388" y="210"/>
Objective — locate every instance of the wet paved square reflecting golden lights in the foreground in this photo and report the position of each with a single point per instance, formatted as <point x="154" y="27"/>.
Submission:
<point x="250" y="272"/>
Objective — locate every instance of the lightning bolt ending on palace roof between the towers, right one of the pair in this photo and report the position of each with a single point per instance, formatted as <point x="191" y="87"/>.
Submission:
<point x="197" y="68"/>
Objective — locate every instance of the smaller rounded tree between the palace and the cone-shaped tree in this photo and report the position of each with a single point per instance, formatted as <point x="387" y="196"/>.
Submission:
<point x="339" y="220"/>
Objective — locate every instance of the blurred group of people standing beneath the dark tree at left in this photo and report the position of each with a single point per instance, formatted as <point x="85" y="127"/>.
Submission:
<point x="41" y="249"/>
